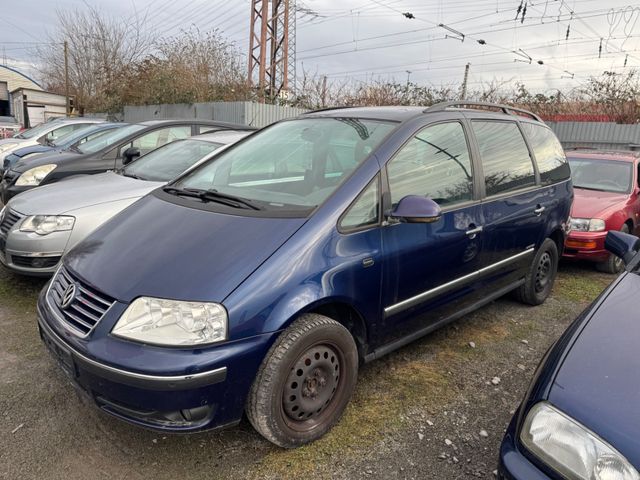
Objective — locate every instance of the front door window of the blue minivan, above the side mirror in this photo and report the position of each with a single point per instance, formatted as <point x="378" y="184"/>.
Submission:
<point x="435" y="164"/>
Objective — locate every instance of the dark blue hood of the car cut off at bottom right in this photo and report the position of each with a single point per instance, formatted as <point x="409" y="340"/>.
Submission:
<point x="598" y="383"/>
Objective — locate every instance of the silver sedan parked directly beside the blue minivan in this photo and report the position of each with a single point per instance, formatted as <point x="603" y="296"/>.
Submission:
<point x="39" y="226"/>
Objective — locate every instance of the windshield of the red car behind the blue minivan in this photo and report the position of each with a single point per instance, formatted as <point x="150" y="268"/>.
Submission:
<point x="602" y="175"/>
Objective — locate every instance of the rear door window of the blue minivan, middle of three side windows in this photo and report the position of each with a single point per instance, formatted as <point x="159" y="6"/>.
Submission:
<point x="505" y="157"/>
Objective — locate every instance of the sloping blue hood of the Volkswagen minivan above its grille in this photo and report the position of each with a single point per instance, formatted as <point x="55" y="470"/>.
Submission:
<point x="161" y="249"/>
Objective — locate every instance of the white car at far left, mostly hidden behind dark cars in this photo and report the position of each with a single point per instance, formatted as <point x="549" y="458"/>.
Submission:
<point x="43" y="133"/>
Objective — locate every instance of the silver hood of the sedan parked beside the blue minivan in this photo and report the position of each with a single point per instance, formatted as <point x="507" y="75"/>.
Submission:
<point x="69" y="195"/>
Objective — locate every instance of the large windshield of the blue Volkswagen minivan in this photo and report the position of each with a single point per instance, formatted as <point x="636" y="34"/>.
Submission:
<point x="296" y="163"/>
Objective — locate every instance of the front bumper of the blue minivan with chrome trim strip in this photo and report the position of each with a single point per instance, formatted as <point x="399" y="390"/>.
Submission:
<point x="212" y="397"/>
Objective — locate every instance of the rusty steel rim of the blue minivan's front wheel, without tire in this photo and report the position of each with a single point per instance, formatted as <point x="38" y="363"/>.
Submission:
<point x="312" y="389"/>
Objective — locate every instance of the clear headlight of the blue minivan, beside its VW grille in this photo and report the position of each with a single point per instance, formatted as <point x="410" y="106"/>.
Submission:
<point x="172" y="322"/>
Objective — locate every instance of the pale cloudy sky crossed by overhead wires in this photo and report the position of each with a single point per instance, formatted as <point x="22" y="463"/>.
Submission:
<point x="558" y="45"/>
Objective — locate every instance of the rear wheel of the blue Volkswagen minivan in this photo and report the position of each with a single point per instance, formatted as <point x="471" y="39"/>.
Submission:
<point x="541" y="275"/>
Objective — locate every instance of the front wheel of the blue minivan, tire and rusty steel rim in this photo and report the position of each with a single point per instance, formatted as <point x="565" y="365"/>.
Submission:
<point x="304" y="383"/>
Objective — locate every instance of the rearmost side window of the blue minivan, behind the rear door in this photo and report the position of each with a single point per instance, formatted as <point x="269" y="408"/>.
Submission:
<point x="552" y="164"/>
